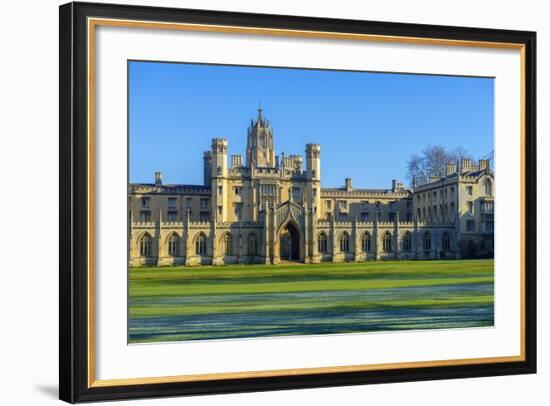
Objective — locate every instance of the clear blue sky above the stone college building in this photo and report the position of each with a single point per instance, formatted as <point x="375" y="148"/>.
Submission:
<point x="368" y="124"/>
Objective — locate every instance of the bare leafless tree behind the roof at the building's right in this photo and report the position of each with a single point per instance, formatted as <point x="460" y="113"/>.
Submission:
<point x="432" y="161"/>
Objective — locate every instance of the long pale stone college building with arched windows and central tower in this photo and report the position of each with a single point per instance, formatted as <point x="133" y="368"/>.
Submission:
<point x="268" y="208"/>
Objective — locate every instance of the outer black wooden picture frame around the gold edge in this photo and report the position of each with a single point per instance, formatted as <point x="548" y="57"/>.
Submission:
<point x="73" y="284"/>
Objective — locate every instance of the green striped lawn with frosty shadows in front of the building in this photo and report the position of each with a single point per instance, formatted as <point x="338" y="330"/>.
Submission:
<point x="179" y="303"/>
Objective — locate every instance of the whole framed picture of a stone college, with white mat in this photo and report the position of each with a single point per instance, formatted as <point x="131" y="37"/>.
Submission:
<point x="256" y="202"/>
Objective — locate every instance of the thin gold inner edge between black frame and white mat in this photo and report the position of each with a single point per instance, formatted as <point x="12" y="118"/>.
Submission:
<point x="94" y="22"/>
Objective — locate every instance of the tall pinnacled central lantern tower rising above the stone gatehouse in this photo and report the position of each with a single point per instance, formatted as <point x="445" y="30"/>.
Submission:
<point x="259" y="147"/>
